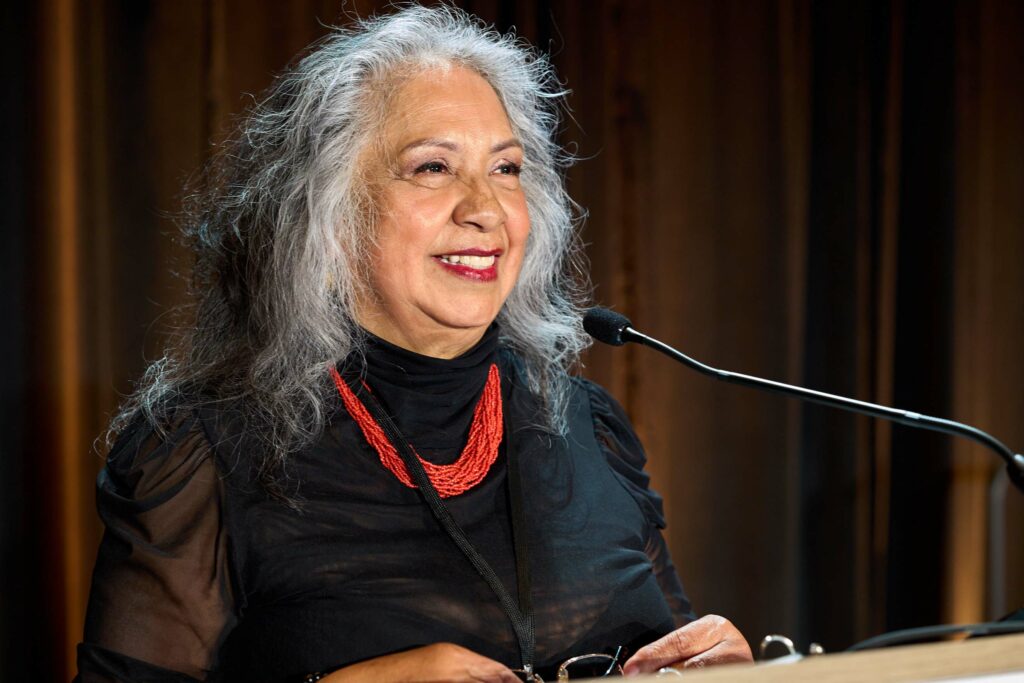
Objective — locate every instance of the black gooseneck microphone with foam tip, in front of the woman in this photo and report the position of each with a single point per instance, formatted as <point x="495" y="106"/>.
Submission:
<point x="615" y="329"/>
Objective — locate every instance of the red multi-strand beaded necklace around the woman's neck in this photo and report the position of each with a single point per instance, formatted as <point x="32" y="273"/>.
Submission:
<point x="477" y="458"/>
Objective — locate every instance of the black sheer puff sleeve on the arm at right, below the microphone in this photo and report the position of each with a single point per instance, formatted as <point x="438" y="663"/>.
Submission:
<point x="626" y="457"/>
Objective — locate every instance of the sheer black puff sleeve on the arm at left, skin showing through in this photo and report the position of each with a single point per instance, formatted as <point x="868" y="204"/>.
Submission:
<point x="161" y="603"/>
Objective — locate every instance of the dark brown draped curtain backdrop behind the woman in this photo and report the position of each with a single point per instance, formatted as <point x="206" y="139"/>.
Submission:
<point x="822" y="193"/>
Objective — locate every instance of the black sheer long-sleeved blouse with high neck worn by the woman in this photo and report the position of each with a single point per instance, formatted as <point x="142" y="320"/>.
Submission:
<point x="202" y="576"/>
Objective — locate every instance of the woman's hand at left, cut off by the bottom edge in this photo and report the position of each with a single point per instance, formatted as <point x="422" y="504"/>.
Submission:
<point x="432" y="664"/>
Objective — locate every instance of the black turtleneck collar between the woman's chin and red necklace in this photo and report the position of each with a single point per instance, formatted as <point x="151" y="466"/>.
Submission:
<point x="432" y="400"/>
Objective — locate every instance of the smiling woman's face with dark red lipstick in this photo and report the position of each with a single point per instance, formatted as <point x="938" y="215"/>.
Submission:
<point x="452" y="217"/>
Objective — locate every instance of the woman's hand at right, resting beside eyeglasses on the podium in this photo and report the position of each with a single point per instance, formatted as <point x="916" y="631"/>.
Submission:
<point x="710" y="641"/>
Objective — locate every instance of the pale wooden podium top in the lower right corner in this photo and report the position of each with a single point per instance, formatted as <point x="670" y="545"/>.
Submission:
<point x="982" y="659"/>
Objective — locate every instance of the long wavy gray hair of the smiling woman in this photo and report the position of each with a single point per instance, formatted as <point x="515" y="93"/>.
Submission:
<point x="283" y="223"/>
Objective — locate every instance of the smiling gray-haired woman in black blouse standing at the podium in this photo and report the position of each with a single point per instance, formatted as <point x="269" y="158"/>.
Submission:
<point x="386" y="259"/>
